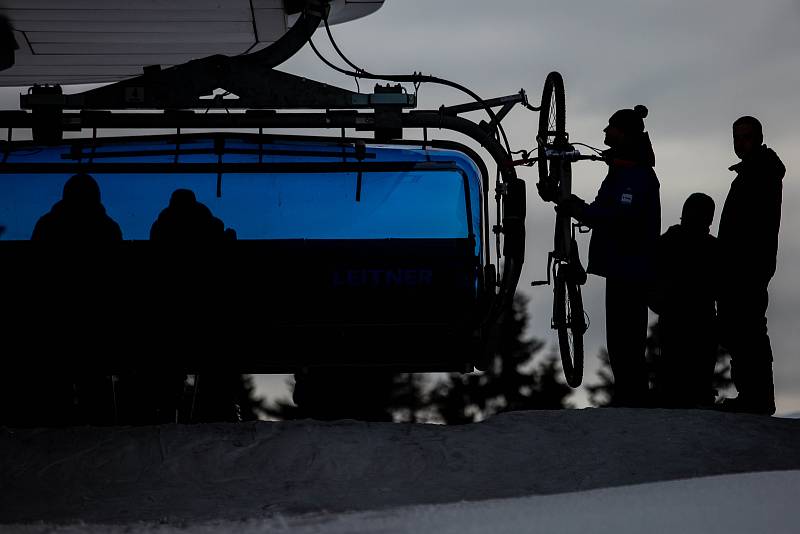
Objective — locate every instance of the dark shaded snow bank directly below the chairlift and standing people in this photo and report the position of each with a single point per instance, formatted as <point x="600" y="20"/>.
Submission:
<point x="259" y="470"/>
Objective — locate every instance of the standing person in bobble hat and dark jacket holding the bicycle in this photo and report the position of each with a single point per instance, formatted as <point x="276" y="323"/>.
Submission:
<point x="625" y="218"/>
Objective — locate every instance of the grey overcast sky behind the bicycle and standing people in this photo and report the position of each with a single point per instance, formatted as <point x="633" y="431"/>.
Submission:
<point x="696" y="65"/>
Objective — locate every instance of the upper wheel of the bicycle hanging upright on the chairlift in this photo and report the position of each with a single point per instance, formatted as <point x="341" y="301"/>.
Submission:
<point x="552" y="122"/>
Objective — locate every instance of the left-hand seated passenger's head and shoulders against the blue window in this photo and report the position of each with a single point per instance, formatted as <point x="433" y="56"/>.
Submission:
<point x="78" y="217"/>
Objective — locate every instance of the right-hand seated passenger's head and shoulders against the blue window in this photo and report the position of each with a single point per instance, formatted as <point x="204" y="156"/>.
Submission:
<point x="186" y="220"/>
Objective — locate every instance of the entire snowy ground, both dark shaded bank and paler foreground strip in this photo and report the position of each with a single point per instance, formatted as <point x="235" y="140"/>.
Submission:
<point x="595" y="470"/>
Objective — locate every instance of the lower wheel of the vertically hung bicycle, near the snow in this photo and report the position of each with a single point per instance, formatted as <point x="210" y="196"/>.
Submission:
<point x="569" y="322"/>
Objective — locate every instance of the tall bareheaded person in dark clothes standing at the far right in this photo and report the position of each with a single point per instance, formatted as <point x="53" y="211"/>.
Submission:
<point x="748" y="238"/>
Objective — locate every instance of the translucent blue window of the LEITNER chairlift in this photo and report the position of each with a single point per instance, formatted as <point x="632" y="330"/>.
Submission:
<point x="431" y="194"/>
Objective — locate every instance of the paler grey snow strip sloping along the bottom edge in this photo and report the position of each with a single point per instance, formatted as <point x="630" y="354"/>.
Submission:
<point x="722" y="504"/>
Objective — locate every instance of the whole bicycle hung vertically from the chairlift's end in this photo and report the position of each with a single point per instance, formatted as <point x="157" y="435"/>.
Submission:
<point x="554" y="161"/>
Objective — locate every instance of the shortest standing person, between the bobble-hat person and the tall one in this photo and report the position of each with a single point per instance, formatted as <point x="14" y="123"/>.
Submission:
<point x="684" y="297"/>
